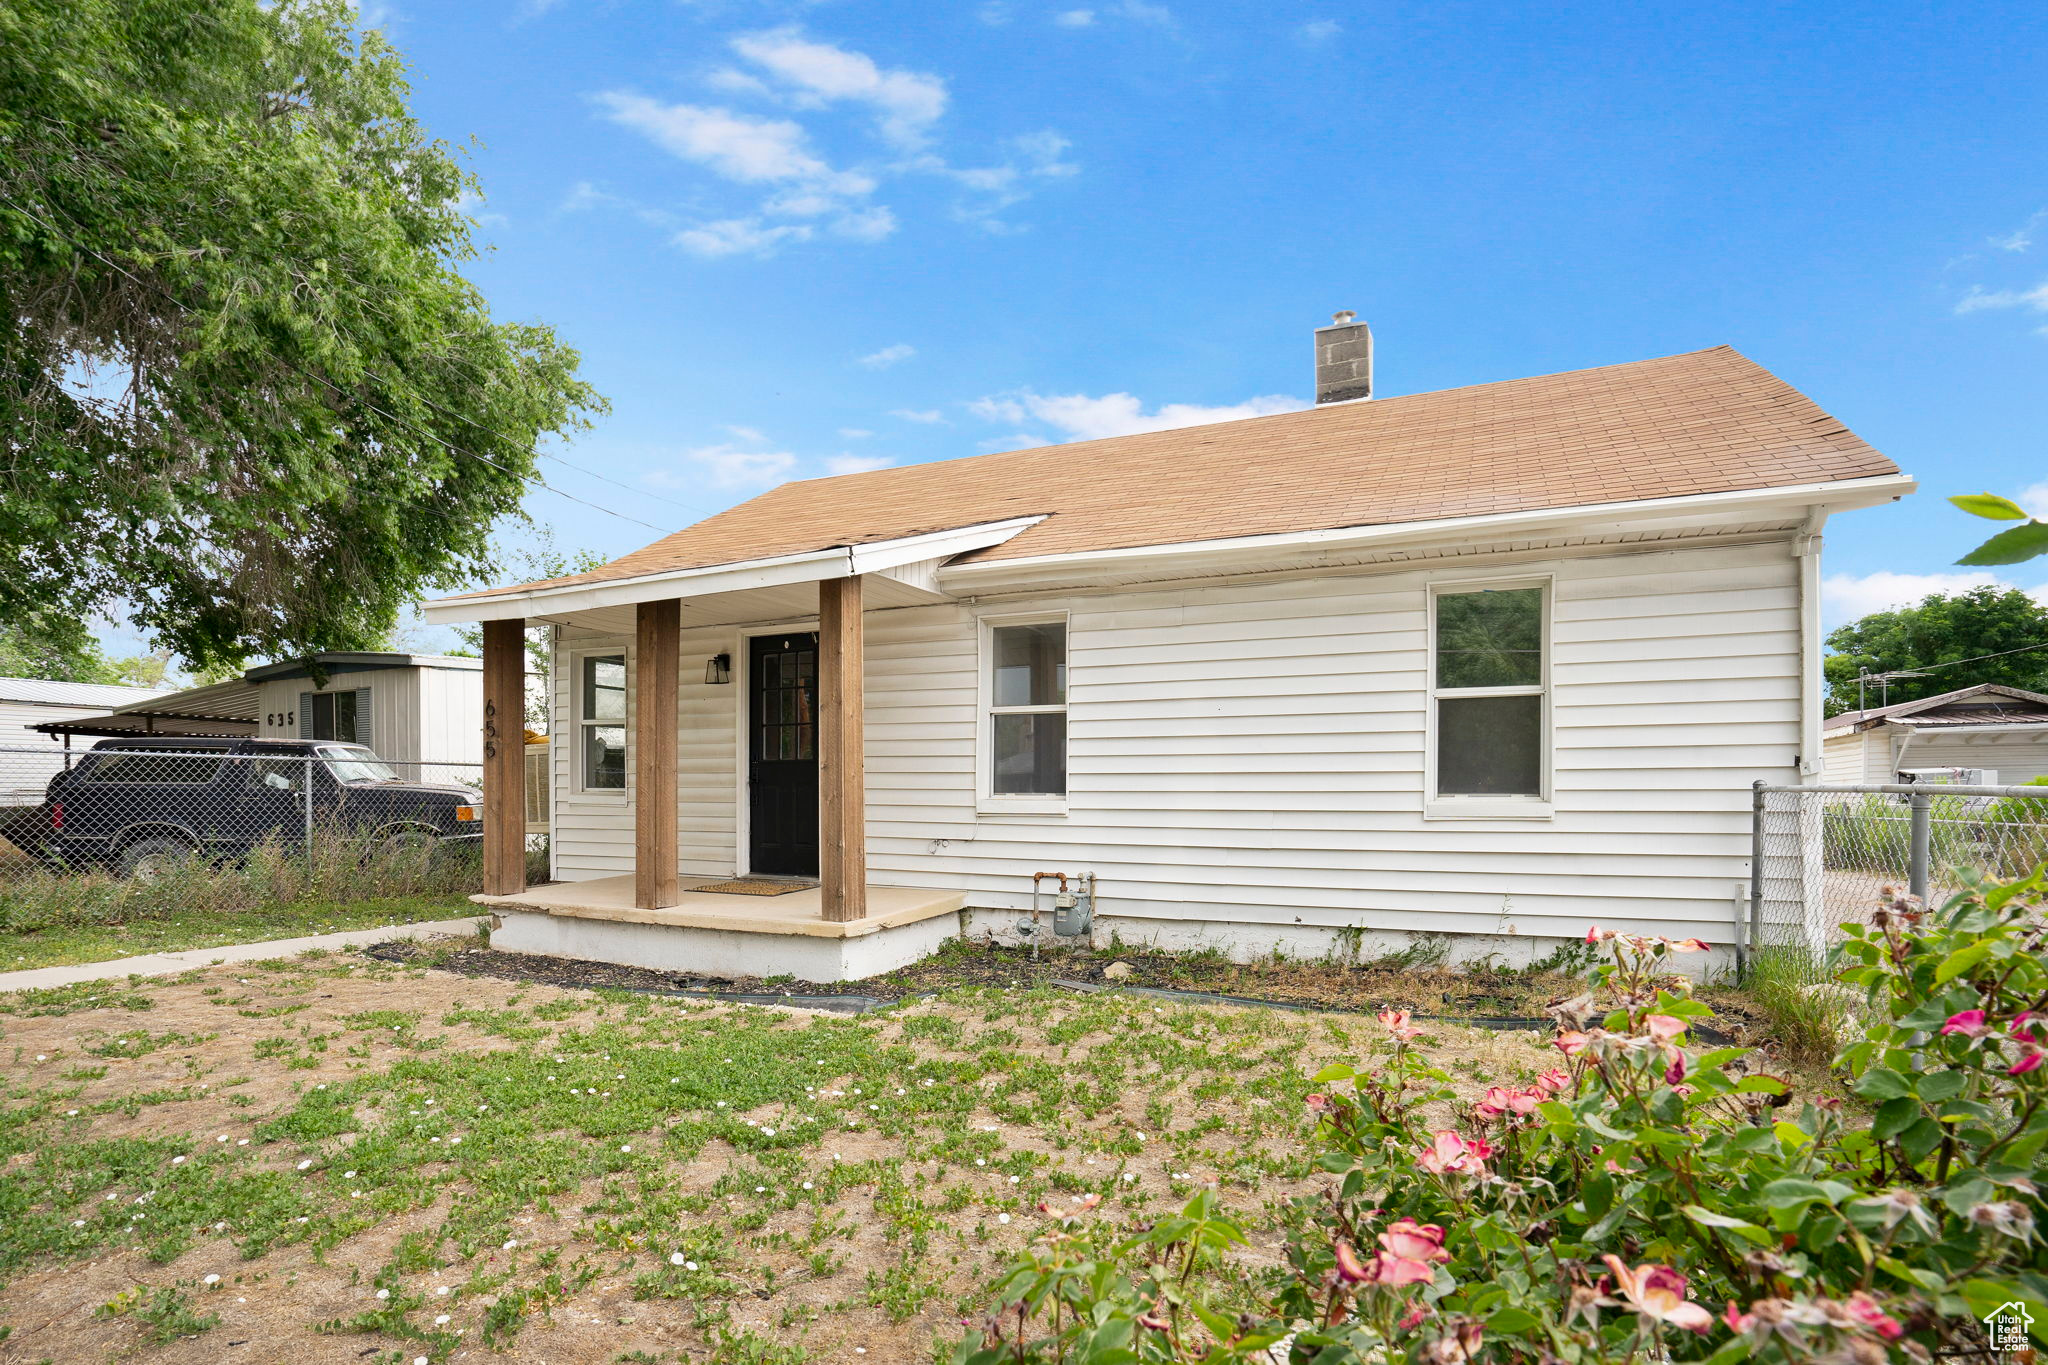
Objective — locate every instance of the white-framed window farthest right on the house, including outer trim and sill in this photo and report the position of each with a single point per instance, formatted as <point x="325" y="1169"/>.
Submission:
<point x="1490" y="701"/>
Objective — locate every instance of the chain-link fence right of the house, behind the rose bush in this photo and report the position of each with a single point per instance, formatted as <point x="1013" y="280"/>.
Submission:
<point x="1826" y="852"/>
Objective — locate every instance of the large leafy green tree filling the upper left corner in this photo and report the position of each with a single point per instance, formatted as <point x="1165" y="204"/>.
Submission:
<point x="247" y="398"/>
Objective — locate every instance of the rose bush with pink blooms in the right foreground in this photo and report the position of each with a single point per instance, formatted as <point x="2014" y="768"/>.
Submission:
<point x="1644" y="1200"/>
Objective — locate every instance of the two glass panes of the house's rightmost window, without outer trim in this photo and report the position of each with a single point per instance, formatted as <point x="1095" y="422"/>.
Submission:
<point x="1490" y="693"/>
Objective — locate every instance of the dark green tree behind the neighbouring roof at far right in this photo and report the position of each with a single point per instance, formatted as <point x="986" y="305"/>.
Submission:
<point x="1943" y="629"/>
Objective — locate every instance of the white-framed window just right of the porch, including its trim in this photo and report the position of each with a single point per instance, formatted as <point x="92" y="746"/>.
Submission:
<point x="1023" y="740"/>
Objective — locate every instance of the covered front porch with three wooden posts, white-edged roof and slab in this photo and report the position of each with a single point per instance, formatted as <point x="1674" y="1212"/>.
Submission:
<point x="826" y="924"/>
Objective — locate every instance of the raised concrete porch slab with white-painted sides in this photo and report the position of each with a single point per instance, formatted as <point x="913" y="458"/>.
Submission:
<point x="720" y="934"/>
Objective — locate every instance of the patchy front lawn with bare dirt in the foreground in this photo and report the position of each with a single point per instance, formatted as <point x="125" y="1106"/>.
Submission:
<point x="341" y="1157"/>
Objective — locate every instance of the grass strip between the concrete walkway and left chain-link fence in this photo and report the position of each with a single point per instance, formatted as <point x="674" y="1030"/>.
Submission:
<point x="65" y="944"/>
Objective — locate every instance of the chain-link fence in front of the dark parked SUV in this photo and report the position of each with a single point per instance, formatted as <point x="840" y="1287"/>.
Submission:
<point x="140" y="805"/>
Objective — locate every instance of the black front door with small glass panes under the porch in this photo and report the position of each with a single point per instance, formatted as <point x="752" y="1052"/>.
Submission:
<point x="783" y="754"/>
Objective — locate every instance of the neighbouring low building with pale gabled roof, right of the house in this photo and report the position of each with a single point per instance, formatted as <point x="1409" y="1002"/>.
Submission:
<point x="1990" y="728"/>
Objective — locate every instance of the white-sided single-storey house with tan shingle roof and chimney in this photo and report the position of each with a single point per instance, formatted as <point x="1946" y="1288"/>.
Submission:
<point x="1492" y="662"/>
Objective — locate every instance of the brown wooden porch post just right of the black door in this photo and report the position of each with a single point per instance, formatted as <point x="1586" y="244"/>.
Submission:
<point x="843" y="811"/>
